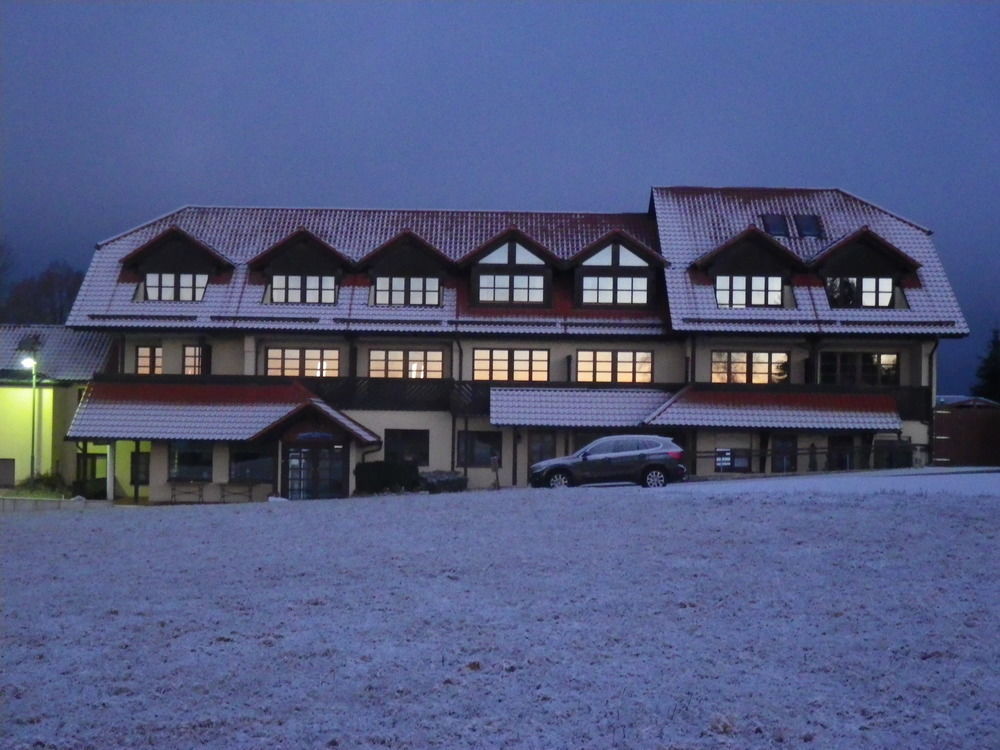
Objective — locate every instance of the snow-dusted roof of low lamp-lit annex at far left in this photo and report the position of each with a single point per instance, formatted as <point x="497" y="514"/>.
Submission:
<point x="62" y="353"/>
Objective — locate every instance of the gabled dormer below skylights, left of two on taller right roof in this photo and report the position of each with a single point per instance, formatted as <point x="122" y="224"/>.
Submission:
<point x="751" y="269"/>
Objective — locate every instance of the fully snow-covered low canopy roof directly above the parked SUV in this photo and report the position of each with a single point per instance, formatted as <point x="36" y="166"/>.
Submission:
<point x="573" y="407"/>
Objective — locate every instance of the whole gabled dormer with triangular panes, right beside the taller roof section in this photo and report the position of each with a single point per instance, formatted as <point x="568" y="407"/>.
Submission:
<point x="616" y="271"/>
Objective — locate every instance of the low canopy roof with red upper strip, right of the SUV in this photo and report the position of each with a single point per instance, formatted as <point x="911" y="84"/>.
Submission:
<point x="762" y="410"/>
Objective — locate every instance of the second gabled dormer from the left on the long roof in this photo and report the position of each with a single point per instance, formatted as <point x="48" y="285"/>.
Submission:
<point x="300" y="269"/>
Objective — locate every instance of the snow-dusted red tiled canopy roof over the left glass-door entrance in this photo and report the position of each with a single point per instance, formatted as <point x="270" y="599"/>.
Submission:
<point x="158" y="411"/>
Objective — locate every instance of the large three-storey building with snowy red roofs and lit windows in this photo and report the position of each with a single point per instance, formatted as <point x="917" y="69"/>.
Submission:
<point x="260" y="351"/>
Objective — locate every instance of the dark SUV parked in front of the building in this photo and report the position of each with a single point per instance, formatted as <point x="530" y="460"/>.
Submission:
<point x="650" y="460"/>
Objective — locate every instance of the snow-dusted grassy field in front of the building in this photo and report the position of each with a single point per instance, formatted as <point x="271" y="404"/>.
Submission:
<point x="827" y="612"/>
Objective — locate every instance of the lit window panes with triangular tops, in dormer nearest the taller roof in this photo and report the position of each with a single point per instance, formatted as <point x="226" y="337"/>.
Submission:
<point x="614" y="275"/>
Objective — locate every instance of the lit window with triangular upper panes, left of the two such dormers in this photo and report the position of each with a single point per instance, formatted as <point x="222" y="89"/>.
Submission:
<point x="511" y="274"/>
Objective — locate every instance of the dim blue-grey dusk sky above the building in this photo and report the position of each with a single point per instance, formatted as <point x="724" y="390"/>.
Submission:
<point x="114" y="113"/>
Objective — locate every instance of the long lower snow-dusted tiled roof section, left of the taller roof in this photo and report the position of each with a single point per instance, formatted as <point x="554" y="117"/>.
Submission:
<point x="239" y="235"/>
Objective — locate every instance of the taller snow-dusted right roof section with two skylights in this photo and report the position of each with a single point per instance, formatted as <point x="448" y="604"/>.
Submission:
<point x="693" y="221"/>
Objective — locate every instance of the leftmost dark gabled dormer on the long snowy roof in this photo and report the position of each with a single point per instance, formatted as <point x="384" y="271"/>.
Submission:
<point x="173" y="267"/>
